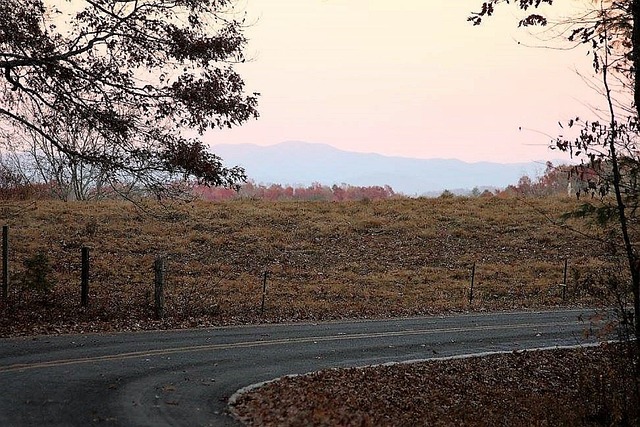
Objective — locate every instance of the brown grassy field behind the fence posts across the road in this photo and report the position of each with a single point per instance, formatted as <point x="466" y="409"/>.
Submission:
<point x="326" y="260"/>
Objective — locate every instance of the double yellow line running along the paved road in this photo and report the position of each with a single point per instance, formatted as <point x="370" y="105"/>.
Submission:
<point x="263" y="343"/>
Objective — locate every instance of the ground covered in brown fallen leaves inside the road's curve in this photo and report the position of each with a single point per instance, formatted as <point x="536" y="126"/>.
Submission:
<point x="556" y="387"/>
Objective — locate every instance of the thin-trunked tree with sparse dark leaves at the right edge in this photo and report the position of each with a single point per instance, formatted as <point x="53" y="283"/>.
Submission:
<point x="611" y="31"/>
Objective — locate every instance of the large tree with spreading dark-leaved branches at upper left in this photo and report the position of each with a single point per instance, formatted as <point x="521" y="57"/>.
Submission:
<point x="131" y="75"/>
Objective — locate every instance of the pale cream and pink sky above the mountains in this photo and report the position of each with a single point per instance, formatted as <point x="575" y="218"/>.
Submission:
<point x="408" y="78"/>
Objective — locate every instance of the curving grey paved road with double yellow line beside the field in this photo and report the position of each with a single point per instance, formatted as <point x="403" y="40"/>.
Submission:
<point x="184" y="378"/>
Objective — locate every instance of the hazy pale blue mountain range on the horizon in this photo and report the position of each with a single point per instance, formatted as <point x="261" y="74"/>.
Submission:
<point x="301" y="164"/>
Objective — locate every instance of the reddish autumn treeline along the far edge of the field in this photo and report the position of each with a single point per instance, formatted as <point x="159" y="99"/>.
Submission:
<point x="556" y="180"/>
